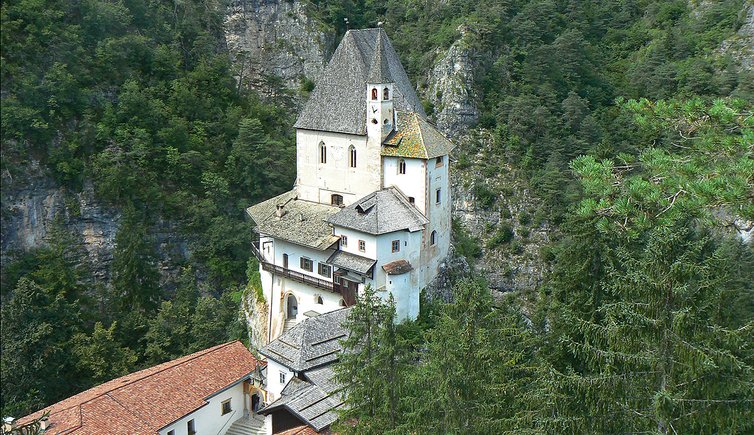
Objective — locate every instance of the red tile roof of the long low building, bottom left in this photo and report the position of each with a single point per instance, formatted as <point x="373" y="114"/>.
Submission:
<point x="146" y="401"/>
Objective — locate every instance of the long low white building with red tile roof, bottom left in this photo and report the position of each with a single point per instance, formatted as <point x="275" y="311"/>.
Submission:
<point x="203" y="393"/>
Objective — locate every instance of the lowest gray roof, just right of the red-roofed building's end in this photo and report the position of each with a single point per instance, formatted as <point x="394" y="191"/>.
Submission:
<point x="314" y="401"/>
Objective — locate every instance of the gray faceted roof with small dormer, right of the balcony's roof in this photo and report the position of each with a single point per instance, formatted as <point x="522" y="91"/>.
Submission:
<point x="380" y="212"/>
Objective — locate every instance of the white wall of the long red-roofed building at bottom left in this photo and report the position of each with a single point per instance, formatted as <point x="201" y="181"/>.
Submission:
<point x="209" y="419"/>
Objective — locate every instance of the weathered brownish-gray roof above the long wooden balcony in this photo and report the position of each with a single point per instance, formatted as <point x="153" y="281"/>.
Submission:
<point x="303" y="222"/>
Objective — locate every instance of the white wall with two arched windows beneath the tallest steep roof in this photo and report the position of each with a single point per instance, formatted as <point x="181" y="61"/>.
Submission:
<point x="317" y="181"/>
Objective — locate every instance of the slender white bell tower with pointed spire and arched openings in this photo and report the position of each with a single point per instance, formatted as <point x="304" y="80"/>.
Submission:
<point x="380" y="88"/>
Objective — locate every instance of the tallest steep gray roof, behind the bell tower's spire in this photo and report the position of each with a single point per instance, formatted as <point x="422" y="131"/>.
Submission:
<point x="338" y="101"/>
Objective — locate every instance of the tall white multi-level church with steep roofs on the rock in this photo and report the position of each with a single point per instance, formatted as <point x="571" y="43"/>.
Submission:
<point x="371" y="201"/>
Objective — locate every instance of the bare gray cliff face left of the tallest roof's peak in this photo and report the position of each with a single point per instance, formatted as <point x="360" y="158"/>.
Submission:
<point x="275" y="38"/>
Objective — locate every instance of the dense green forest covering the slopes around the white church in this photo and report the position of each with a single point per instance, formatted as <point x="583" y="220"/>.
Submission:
<point x="645" y="315"/>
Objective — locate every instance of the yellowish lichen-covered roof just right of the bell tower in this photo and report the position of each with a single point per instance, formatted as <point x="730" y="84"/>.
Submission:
<point x="415" y="138"/>
